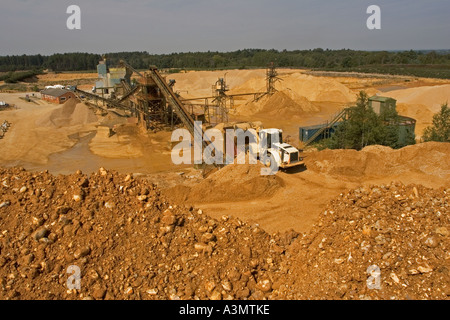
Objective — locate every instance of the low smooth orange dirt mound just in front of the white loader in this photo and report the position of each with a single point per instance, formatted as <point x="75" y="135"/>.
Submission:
<point x="235" y="181"/>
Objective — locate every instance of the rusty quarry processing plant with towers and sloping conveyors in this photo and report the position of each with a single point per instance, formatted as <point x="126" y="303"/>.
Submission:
<point x="153" y="103"/>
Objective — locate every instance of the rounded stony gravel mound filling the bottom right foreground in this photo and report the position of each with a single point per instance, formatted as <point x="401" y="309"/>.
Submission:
<point x="401" y="232"/>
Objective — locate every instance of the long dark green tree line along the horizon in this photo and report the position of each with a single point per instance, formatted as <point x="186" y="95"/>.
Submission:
<point x="324" y="59"/>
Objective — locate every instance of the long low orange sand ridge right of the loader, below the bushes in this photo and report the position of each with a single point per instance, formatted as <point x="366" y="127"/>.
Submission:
<point x="431" y="159"/>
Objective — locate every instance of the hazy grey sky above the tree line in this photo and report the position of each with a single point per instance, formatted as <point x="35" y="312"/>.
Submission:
<point x="165" y="26"/>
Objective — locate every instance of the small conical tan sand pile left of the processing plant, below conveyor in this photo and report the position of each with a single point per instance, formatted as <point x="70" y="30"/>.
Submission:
<point x="71" y="113"/>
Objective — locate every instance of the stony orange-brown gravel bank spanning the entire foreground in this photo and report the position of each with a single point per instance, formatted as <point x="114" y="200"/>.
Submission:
<point x="129" y="242"/>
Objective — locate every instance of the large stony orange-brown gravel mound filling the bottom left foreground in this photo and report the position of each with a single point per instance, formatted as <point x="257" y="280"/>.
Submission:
<point x="127" y="240"/>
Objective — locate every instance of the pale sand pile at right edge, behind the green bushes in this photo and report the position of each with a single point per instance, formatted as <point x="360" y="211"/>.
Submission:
<point x="430" y="96"/>
